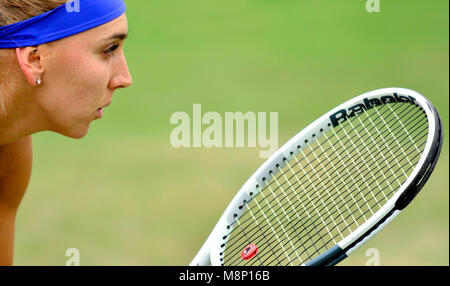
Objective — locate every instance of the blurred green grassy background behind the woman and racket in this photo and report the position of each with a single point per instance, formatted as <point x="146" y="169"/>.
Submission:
<point x="124" y="196"/>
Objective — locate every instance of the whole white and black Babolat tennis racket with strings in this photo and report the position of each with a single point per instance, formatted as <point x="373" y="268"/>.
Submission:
<point x="331" y="187"/>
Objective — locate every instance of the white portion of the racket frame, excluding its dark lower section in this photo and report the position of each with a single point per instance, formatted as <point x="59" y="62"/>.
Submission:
<point x="210" y="252"/>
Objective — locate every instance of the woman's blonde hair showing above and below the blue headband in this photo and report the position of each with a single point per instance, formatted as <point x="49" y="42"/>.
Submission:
<point x="13" y="11"/>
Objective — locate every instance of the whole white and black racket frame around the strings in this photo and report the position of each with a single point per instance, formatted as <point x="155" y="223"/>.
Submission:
<point x="212" y="251"/>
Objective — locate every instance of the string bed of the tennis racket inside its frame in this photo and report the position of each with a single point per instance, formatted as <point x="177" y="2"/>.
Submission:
<point x="320" y="196"/>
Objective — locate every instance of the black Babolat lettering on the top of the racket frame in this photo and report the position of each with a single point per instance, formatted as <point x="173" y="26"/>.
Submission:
<point x="342" y="115"/>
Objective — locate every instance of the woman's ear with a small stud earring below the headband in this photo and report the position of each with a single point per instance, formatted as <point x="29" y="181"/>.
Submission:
<point x="29" y="60"/>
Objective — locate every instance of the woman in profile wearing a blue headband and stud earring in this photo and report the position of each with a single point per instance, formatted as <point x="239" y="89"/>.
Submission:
<point x="60" y="64"/>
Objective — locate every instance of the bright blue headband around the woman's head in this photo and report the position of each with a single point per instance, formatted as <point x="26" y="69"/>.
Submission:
<point x="66" y="20"/>
